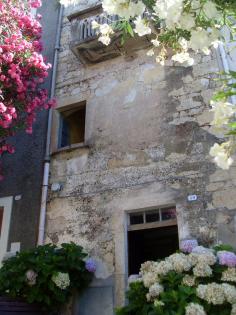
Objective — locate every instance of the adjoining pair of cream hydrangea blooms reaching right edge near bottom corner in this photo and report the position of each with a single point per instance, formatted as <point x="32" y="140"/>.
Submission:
<point x="217" y="294"/>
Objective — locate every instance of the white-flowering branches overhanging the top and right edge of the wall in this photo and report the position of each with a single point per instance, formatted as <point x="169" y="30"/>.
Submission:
<point x="178" y="30"/>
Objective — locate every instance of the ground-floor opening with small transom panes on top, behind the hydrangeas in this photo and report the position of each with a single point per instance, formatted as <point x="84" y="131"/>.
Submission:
<point x="152" y="235"/>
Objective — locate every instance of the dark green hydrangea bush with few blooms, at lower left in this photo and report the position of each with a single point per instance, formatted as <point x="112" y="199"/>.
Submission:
<point x="47" y="275"/>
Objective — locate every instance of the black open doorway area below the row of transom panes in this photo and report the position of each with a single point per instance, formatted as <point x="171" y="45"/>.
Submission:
<point x="151" y="244"/>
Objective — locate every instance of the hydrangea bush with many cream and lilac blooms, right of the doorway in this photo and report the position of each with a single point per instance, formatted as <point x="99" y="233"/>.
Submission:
<point x="195" y="281"/>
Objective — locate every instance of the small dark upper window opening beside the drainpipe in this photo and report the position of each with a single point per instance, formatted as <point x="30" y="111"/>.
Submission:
<point x="72" y="126"/>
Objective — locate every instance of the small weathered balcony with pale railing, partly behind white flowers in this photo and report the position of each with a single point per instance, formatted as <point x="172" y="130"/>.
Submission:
<point x="85" y="44"/>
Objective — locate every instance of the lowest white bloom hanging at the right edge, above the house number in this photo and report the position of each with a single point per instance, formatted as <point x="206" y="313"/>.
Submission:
<point x="221" y="157"/>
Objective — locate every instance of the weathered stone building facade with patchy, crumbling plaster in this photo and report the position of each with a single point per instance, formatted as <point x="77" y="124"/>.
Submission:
<point x="146" y="145"/>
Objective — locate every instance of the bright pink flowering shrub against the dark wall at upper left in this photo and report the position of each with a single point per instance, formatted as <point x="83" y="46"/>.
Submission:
<point x="22" y="69"/>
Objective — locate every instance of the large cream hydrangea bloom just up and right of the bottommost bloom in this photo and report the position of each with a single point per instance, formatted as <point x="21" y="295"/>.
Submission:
<point x="213" y="293"/>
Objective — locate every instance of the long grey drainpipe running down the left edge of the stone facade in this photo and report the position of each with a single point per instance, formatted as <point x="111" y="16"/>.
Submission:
<point x="43" y="207"/>
